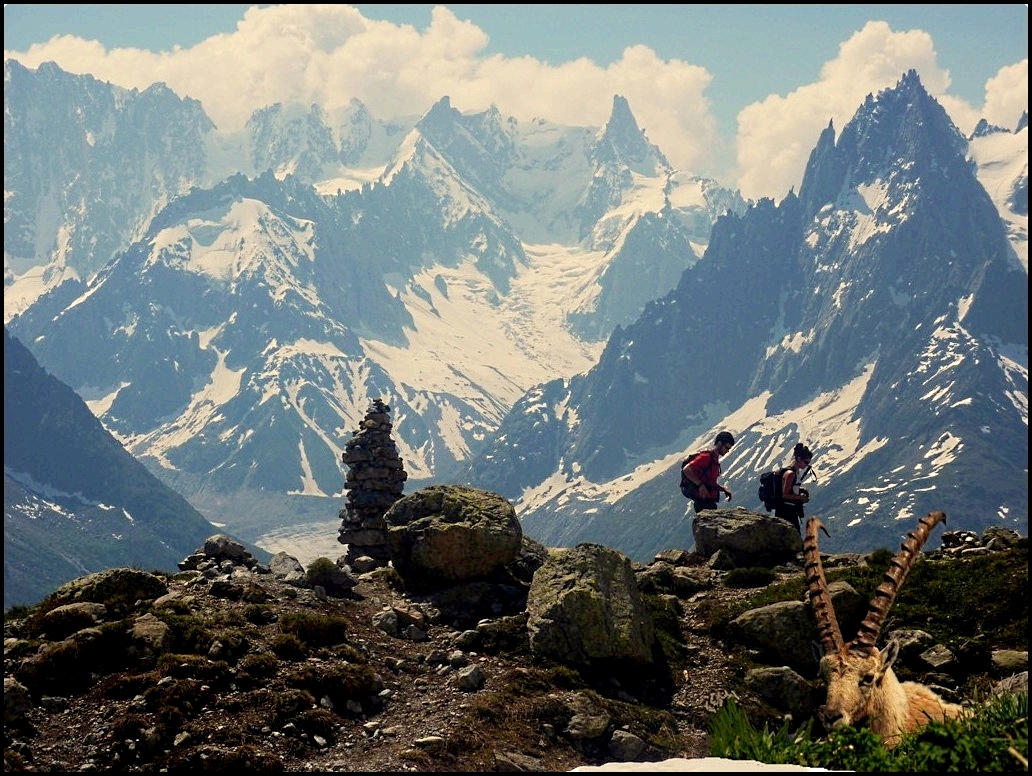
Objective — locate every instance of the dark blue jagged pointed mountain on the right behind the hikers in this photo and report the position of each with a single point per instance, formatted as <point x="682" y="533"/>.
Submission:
<point x="881" y="316"/>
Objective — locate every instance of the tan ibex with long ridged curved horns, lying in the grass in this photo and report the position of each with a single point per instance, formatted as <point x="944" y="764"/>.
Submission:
<point x="862" y="687"/>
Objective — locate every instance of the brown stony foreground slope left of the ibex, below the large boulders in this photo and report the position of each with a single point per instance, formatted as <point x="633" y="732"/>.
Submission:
<point x="245" y="669"/>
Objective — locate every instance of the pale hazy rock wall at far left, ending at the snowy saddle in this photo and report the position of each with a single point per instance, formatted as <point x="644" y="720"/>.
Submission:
<point x="85" y="166"/>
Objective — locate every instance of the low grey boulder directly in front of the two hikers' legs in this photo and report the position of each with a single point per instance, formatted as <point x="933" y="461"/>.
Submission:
<point x="748" y="538"/>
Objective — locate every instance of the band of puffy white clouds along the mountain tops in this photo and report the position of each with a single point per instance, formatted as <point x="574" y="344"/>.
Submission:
<point x="332" y="54"/>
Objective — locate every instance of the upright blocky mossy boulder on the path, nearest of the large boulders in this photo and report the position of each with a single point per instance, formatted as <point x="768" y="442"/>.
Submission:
<point x="585" y="608"/>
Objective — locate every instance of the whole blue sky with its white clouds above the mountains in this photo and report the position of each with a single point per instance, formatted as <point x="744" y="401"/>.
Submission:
<point x="739" y="93"/>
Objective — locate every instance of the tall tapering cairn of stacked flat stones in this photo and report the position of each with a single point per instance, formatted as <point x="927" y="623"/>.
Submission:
<point x="374" y="480"/>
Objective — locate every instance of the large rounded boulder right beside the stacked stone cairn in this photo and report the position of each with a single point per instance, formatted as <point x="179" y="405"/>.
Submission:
<point x="444" y="535"/>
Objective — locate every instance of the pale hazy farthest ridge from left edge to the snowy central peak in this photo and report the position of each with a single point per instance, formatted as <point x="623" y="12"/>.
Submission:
<point x="87" y="165"/>
